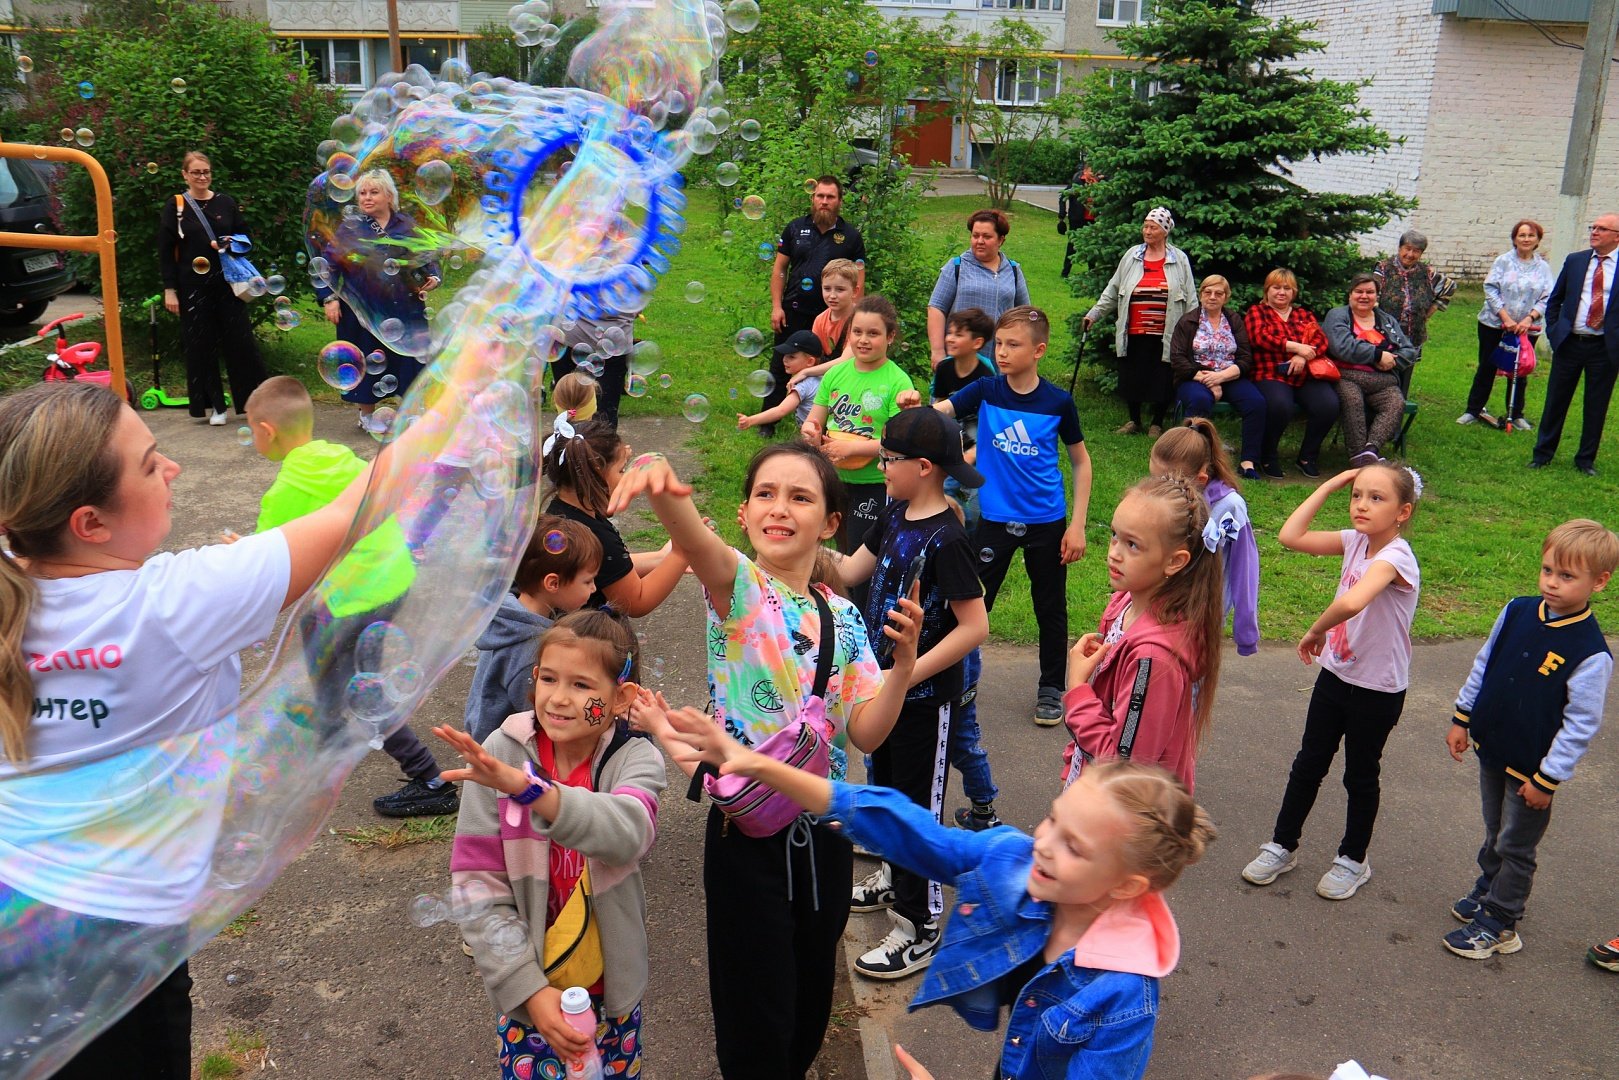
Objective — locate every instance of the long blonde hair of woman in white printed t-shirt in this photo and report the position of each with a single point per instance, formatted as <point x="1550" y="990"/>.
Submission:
<point x="54" y="459"/>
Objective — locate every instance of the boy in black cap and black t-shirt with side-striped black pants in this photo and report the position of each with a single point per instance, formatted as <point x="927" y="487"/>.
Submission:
<point x="919" y="543"/>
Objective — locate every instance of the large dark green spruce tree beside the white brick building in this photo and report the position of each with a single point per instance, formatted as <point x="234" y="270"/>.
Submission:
<point x="1233" y="113"/>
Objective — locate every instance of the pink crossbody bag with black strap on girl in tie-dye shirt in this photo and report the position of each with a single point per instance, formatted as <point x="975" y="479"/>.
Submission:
<point x="759" y="809"/>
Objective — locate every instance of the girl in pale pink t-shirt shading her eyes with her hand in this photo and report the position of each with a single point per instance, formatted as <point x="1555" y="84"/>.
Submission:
<point x="1364" y="642"/>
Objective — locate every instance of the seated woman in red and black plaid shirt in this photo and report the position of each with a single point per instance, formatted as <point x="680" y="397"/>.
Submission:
<point x="1283" y="338"/>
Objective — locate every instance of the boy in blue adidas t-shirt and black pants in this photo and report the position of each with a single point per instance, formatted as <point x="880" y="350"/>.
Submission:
<point x="1022" y="420"/>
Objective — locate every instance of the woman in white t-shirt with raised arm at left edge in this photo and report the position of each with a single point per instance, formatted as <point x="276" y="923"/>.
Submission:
<point x="119" y="678"/>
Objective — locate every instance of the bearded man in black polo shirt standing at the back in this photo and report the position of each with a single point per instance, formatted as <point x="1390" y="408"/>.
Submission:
<point x="807" y="245"/>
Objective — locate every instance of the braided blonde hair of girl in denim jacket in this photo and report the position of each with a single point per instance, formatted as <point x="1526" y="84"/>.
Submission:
<point x="1168" y="833"/>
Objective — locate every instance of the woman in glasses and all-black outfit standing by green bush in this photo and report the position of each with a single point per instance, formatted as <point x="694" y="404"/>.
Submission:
<point x="213" y="323"/>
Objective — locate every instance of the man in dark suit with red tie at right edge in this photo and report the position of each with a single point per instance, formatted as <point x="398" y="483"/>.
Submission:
<point x="1584" y="334"/>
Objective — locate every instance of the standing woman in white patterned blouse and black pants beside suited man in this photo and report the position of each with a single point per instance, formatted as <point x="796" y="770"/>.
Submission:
<point x="1516" y="294"/>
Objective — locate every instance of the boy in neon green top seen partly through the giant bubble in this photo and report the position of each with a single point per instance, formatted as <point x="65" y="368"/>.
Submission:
<point x="359" y="592"/>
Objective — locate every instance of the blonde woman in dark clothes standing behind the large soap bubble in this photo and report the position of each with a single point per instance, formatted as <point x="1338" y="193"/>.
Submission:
<point x="394" y="284"/>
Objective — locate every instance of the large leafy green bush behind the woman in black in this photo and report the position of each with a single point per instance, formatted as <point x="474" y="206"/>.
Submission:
<point x="245" y="101"/>
